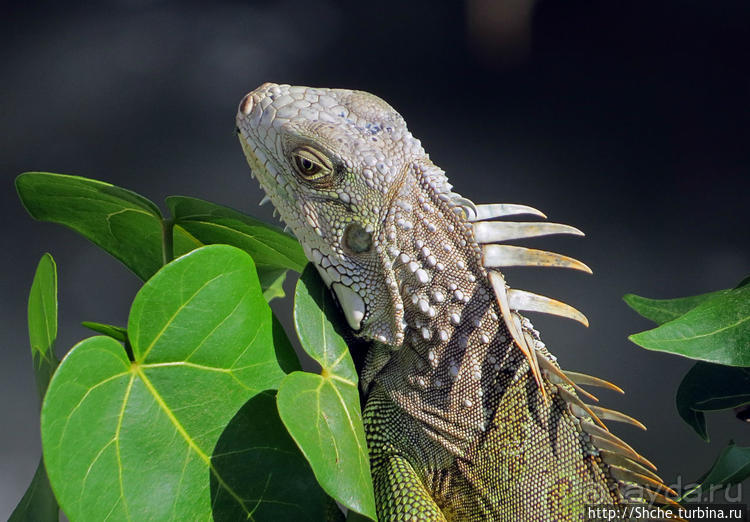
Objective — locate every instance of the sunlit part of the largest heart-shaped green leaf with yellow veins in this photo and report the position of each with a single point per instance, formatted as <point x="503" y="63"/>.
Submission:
<point x="133" y="440"/>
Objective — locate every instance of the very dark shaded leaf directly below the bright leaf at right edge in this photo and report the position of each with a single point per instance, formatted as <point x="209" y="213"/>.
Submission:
<point x="711" y="387"/>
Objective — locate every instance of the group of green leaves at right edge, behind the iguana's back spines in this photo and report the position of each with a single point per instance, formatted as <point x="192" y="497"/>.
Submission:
<point x="715" y="328"/>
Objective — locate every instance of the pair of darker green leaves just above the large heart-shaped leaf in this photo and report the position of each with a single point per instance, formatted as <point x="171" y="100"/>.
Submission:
<point x="133" y="230"/>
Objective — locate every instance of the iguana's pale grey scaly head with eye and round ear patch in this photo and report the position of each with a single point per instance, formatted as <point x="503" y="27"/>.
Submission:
<point x="333" y="162"/>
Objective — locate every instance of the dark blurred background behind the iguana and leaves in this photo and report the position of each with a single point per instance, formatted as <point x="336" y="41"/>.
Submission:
<point x="628" y="119"/>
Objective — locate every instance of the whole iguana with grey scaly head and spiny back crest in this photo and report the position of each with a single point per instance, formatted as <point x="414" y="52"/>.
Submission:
<point x="468" y="416"/>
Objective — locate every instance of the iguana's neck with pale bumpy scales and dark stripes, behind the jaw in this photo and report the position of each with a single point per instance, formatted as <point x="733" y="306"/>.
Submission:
<point x="454" y="343"/>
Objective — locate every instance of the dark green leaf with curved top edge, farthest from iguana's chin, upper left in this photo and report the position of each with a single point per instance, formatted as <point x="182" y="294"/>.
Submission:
<point x="126" y="225"/>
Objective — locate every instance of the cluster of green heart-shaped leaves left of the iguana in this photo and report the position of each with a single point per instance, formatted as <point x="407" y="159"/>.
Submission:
<point x="176" y="416"/>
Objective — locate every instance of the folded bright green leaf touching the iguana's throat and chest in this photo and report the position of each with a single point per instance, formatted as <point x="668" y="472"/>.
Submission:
<point x="322" y="412"/>
